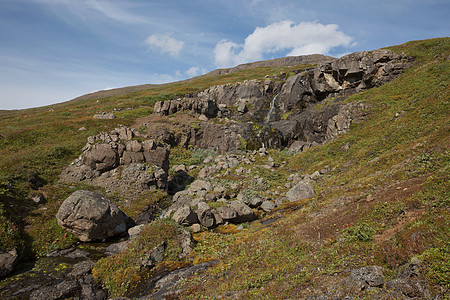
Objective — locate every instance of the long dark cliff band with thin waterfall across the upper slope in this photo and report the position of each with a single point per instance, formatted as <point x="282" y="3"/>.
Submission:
<point x="305" y="109"/>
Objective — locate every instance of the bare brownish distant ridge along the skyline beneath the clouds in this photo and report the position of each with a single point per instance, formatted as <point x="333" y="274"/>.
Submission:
<point x="277" y="62"/>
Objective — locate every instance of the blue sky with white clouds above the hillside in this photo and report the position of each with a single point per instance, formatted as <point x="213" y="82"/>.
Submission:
<point x="52" y="51"/>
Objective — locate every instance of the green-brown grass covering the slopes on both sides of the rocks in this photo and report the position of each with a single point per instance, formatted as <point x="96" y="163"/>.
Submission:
<point x="284" y="259"/>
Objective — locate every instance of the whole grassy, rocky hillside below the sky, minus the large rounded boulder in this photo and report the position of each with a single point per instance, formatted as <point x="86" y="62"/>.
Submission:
<point x="321" y="180"/>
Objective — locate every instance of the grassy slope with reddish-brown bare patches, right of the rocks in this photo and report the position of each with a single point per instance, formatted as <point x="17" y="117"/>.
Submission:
<point x="402" y="163"/>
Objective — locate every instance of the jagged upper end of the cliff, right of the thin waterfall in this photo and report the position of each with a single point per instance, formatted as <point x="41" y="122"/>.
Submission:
<point x="342" y="77"/>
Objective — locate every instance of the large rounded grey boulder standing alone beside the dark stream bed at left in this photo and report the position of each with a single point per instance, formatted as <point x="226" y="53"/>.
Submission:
<point x="91" y="216"/>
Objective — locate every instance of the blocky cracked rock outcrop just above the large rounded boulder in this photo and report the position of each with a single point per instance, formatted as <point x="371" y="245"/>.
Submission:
<point x="118" y="162"/>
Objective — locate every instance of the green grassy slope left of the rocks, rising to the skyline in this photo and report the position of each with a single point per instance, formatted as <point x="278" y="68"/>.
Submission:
<point x="35" y="144"/>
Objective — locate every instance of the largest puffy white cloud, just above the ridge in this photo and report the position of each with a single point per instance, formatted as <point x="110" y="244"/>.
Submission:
<point x="300" y="39"/>
